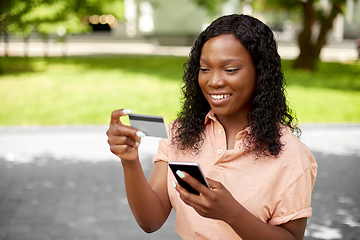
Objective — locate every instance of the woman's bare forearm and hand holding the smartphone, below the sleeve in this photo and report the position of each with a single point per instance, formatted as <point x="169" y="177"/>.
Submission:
<point x="218" y="203"/>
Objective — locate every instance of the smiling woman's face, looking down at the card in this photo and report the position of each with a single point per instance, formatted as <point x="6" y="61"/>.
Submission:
<point x="227" y="76"/>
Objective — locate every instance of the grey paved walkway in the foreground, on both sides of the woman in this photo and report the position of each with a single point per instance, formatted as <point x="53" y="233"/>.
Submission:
<point x="63" y="183"/>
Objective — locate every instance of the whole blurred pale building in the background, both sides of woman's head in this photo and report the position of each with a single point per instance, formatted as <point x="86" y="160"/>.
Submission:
<point x="175" y="22"/>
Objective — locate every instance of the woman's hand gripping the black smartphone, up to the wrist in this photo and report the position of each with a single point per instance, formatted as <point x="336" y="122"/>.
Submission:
<point x="215" y="202"/>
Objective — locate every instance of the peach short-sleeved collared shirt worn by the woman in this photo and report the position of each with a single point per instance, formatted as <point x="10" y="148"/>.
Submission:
<point x="274" y="189"/>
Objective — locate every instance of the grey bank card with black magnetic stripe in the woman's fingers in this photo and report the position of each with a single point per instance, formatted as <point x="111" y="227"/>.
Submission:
<point x="151" y="125"/>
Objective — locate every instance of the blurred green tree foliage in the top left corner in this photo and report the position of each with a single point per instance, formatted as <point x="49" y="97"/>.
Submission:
<point x="48" y="17"/>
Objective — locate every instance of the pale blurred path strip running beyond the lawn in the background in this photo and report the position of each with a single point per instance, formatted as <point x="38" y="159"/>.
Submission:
<point x="102" y="45"/>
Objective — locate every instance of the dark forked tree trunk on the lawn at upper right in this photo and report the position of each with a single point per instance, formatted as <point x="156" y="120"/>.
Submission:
<point x="309" y="51"/>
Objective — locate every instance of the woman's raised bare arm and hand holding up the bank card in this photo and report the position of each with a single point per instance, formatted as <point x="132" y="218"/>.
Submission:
<point x="149" y="201"/>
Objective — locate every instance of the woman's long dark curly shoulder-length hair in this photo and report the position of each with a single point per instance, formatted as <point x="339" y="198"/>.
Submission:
<point x="269" y="104"/>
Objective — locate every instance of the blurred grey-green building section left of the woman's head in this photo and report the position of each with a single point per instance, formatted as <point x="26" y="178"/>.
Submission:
<point x="168" y="22"/>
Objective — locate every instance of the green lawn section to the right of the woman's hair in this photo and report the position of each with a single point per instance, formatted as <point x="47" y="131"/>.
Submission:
<point x="329" y="95"/>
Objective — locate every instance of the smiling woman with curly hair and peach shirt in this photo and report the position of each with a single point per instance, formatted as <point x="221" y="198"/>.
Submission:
<point x="236" y="124"/>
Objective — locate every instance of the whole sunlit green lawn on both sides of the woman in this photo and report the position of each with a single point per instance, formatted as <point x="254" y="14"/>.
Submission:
<point x="85" y="90"/>
